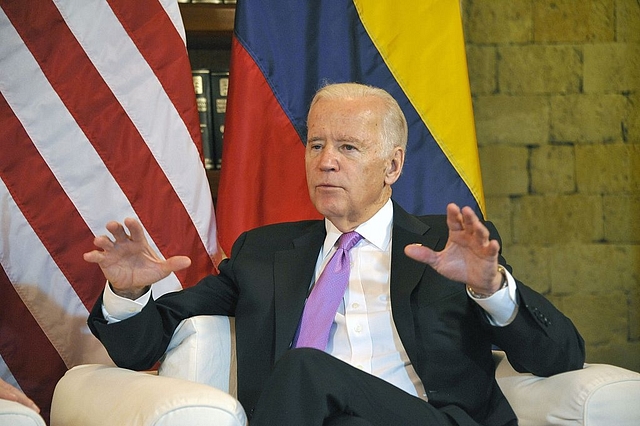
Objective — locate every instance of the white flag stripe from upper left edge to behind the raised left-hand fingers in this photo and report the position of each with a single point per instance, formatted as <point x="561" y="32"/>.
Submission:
<point x="71" y="158"/>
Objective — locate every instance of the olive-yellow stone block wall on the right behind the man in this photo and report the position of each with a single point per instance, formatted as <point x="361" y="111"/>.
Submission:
<point x="556" y="92"/>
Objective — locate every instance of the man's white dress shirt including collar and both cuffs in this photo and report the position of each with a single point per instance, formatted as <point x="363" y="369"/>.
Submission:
<point x="363" y="334"/>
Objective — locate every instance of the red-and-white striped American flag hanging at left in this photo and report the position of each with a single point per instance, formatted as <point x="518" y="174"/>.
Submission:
<point x="98" y="122"/>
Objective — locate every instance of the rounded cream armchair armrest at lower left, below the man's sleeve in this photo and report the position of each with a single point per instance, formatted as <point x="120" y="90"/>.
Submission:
<point x="98" y="394"/>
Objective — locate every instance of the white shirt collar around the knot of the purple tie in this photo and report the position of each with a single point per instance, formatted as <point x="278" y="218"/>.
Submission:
<point x="376" y="230"/>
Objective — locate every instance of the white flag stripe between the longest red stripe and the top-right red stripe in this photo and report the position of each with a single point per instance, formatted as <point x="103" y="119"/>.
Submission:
<point x="138" y="90"/>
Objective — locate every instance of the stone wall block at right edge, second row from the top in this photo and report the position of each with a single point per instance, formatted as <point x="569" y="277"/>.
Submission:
<point x="611" y="67"/>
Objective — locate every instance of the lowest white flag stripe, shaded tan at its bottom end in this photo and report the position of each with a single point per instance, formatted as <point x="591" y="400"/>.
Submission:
<point x="44" y="290"/>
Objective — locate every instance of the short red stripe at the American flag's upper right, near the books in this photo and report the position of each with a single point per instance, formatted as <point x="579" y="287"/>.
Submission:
<point x="150" y="30"/>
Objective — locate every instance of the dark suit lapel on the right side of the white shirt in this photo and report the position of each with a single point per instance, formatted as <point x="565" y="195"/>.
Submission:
<point x="406" y="273"/>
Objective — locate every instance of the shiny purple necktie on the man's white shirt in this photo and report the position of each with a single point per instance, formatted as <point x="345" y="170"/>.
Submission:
<point x="322" y="304"/>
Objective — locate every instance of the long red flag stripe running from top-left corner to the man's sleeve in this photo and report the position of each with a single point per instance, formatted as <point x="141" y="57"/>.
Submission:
<point x="111" y="132"/>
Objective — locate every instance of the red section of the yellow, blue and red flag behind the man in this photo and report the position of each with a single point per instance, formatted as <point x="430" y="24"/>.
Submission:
<point x="273" y="185"/>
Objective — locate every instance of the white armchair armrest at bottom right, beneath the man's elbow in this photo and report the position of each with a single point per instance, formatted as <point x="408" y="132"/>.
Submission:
<point x="597" y="395"/>
